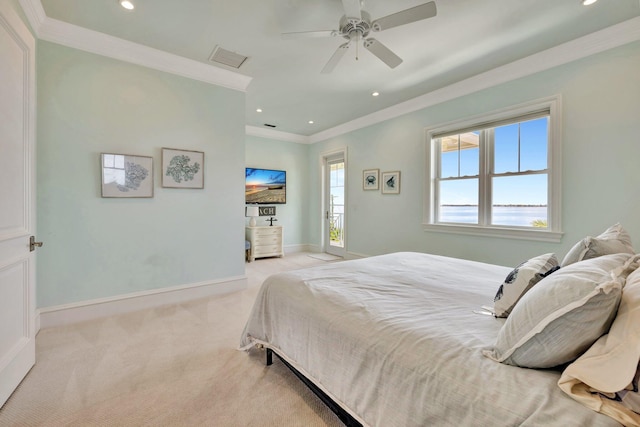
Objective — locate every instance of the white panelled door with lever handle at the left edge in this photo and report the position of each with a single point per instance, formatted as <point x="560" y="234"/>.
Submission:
<point x="17" y="201"/>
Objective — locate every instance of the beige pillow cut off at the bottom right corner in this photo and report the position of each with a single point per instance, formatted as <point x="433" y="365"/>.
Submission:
<point x="605" y="377"/>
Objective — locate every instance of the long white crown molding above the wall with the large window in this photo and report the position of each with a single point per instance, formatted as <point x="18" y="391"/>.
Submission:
<point x="609" y="38"/>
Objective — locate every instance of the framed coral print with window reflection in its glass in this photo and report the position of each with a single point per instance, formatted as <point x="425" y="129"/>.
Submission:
<point x="124" y="175"/>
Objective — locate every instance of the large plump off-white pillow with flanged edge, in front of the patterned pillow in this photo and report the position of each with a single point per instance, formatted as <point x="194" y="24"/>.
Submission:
<point x="563" y="315"/>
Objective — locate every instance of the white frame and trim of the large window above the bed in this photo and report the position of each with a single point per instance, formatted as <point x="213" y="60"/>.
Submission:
<point x="553" y="231"/>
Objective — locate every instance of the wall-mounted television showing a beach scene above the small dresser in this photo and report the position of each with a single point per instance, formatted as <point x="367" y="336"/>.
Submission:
<point x="265" y="186"/>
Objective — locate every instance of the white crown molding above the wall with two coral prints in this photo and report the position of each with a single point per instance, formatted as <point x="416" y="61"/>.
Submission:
<point x="77" y="37"/>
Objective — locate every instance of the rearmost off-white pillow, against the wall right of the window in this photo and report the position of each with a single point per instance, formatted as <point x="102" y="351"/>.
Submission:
<point x="613" y="240"/>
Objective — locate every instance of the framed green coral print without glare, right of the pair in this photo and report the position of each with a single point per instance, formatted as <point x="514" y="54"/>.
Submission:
<point x="182" y="168"/>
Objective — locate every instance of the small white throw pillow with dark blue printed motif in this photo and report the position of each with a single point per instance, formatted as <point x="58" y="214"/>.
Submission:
<point x="520" y="280"/>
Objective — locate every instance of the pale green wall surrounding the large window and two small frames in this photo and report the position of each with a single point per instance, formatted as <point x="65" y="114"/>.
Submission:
<point x="600" y="176"/>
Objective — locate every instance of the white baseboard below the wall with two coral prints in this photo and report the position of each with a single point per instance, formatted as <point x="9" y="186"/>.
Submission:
<point x="66" y="314"/>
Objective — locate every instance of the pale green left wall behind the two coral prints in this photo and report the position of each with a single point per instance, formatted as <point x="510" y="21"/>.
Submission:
<point x="97" y="247"/>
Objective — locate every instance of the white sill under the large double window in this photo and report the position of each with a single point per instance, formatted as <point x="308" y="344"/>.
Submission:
<point x="501" y="232"/>
